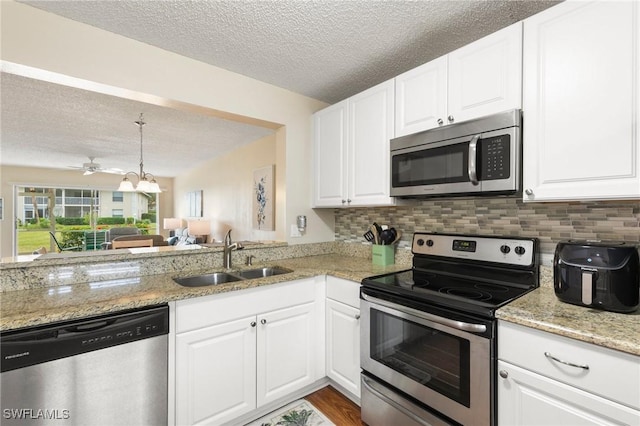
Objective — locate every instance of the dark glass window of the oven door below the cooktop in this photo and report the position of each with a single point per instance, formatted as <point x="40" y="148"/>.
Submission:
<point x="431" y="357"/>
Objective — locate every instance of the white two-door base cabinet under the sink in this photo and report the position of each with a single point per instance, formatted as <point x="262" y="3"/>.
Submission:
<point x="238" y="351"/>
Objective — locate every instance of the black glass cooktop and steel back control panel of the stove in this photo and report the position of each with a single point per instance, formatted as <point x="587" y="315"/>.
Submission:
<point x="467" y="273"/>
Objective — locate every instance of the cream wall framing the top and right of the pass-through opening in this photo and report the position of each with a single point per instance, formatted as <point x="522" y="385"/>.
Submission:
<point x="51" y="43"/>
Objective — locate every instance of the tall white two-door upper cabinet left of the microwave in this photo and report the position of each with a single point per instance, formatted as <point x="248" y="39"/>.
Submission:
<point x="351" y="150"/>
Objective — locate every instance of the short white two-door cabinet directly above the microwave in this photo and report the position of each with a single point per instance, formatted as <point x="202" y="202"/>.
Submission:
<point x="482" y="78"/>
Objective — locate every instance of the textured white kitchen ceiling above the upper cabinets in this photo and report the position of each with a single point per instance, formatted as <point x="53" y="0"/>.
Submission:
<point x="325" y="49"/>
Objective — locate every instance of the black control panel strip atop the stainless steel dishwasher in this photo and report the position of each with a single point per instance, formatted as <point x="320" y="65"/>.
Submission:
<point x="26" y="347"/>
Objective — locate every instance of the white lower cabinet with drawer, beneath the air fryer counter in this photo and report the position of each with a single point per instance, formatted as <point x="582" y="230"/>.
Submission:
<point x="546" y="379"/>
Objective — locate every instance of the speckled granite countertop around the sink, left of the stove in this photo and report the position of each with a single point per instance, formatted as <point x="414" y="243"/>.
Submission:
<point x="32" y="307"/>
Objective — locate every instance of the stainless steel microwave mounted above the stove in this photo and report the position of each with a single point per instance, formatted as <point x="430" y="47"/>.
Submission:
<point x="481" y="156"/>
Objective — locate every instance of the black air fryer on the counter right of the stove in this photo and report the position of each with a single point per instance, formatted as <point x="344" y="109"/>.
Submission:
<point x="598" y="275"/>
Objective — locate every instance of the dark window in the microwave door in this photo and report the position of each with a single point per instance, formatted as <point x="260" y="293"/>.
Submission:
<point x="446" y="164"/>
